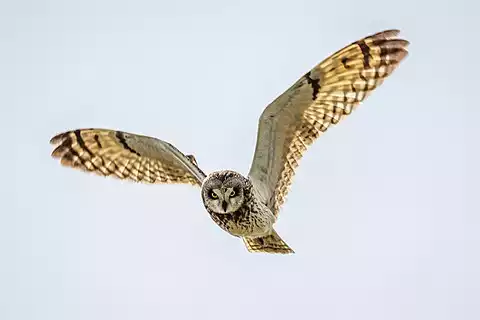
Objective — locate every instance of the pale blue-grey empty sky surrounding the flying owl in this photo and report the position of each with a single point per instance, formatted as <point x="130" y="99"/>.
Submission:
<point x="382" y="213"/>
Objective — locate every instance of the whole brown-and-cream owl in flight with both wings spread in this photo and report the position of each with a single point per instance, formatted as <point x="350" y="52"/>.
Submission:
<point x="248" y="206"/>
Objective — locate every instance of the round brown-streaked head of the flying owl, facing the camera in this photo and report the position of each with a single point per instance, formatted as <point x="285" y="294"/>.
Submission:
<point x="224" y="192"/>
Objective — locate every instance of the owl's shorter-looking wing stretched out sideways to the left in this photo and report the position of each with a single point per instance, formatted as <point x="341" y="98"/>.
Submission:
<point x="126" y="156"/>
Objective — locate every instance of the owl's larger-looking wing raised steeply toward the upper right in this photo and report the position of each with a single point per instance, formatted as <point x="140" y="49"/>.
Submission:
<point x="319" y="99"/>
